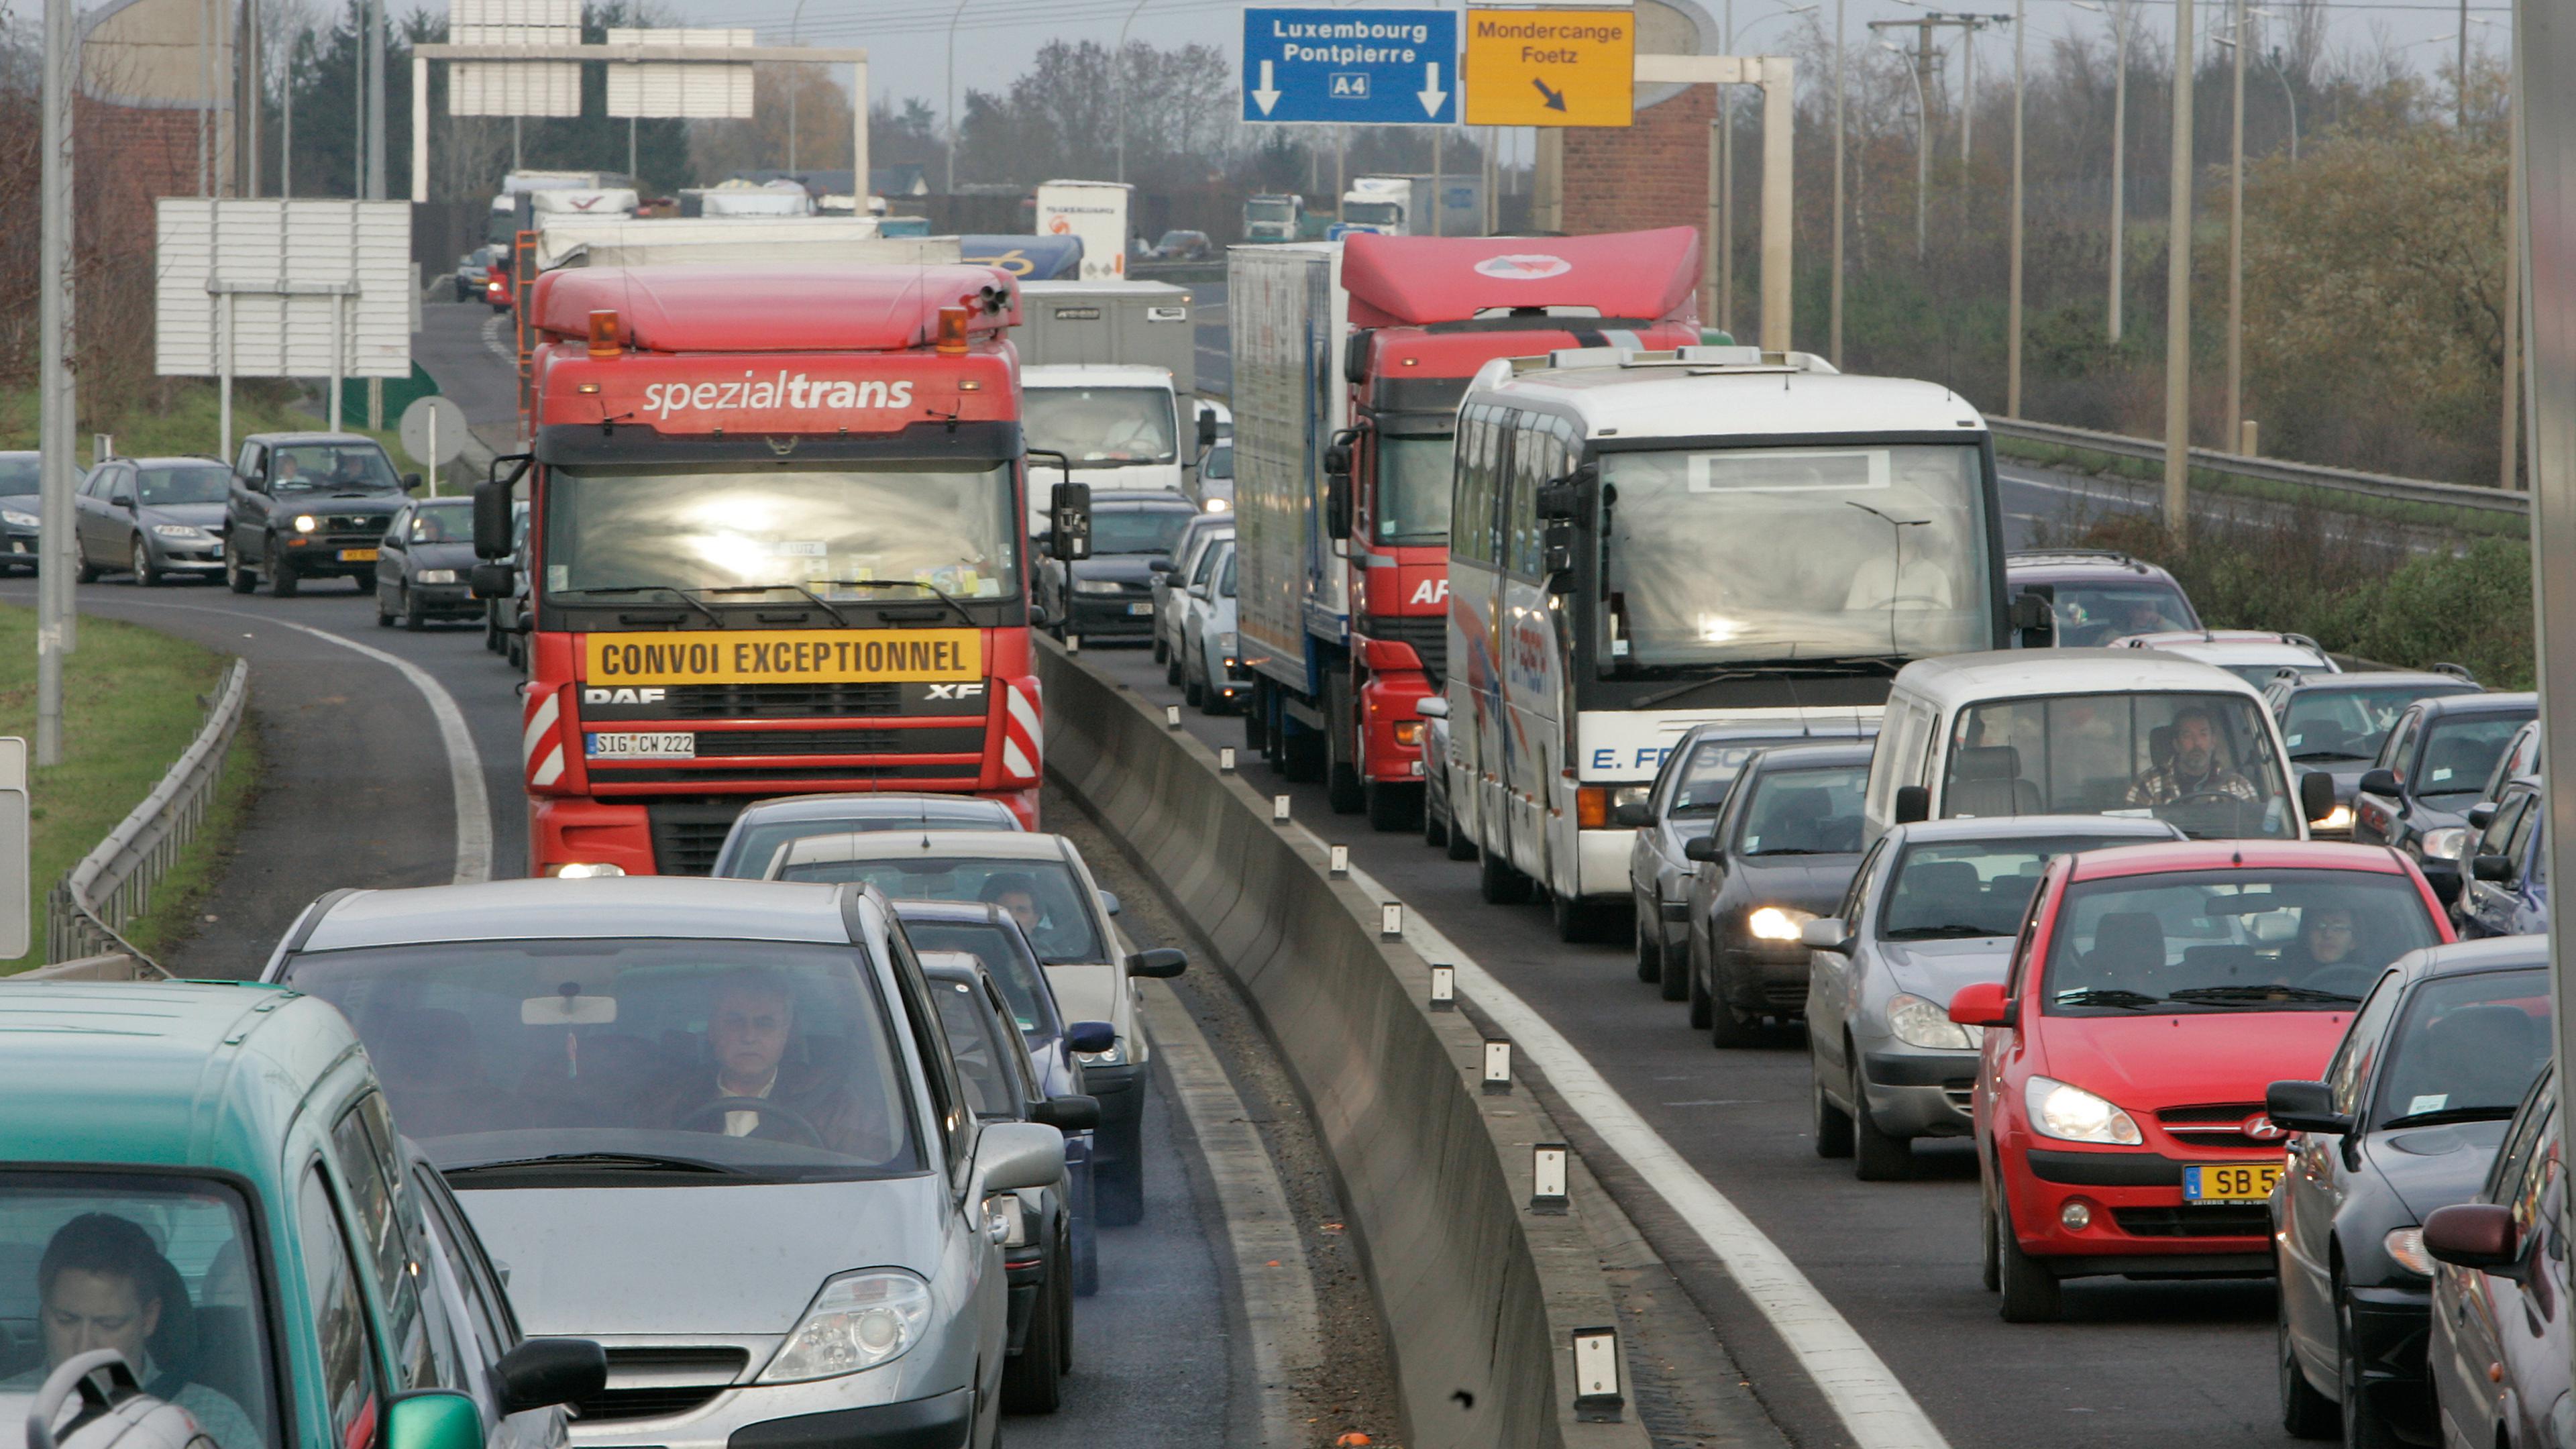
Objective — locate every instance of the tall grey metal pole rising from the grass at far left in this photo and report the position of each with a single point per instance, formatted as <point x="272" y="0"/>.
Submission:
<point x="55" y="602"/>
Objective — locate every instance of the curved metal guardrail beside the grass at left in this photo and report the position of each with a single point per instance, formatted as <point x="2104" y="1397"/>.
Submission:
<point x="112" y="886"/>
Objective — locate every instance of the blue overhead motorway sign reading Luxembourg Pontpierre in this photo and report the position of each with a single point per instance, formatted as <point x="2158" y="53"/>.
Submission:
<point x="1361" y="68"/>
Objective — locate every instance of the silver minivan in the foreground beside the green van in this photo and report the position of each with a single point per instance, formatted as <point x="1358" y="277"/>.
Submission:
<point x="712" y="1125"/>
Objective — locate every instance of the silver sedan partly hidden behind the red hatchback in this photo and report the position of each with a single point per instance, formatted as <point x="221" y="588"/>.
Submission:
<point x="1933" y="909"/>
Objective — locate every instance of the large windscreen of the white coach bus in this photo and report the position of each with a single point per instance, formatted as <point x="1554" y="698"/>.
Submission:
<point x="1794" y="553"/>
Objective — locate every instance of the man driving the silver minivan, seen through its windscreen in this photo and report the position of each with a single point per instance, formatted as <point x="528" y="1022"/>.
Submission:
<point x="748" y="1030"/>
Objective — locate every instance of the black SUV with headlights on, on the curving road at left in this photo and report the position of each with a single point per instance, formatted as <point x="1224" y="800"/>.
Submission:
<point x="308" y="507"/>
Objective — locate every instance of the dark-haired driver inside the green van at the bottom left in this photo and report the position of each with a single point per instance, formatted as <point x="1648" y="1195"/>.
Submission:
<point x="107" y="1285"/>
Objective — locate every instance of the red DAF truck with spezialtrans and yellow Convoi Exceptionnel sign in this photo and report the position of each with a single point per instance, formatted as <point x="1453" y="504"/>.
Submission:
<point x="777" y="545"/>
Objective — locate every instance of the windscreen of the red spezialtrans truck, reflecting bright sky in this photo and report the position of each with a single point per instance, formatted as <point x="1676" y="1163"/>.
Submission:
<point x="831" y="530"/>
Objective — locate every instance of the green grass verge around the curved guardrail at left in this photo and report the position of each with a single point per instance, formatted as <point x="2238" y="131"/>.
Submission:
<point x="133" y="700"/>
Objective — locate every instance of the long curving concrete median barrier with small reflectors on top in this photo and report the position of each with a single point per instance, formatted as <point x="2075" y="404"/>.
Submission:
<point x="1480" y="1296"/>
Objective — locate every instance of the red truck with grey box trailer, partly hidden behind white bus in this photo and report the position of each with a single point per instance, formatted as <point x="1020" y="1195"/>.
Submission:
<point x="1349" y="367"/>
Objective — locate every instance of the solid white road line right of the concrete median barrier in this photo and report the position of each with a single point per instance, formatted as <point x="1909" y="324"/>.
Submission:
<point x="1848" y="1373"/>
